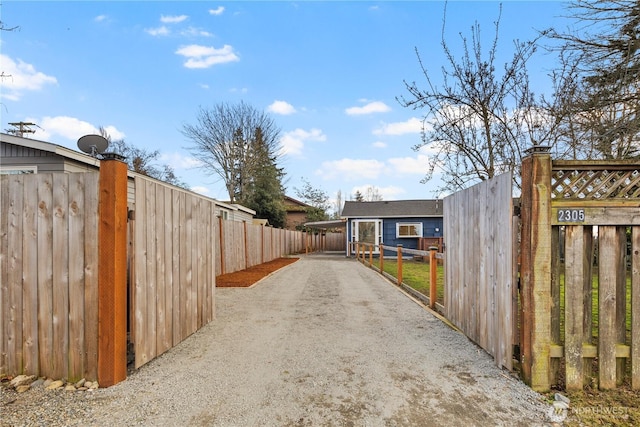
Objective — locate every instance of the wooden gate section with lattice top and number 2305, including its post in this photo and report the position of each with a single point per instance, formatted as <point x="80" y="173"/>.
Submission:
<point x="580" y="272"/>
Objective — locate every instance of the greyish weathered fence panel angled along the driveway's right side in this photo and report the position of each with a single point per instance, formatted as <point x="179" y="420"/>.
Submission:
<point x="478" y="268"/>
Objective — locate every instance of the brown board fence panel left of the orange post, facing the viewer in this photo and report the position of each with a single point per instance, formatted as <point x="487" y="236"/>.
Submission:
<point x="49" y="277"/>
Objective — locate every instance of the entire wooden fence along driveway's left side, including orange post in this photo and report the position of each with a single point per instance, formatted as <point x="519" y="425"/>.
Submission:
<point x="61" y="238"/>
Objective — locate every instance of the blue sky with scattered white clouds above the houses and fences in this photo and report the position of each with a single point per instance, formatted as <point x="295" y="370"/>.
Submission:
<point x="327" y="72"/>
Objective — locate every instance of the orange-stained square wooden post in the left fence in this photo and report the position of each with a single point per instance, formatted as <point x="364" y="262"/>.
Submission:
<point x="112" y="268"/>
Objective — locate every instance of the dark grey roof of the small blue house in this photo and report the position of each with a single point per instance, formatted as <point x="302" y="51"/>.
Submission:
<point x="393" y="209"/>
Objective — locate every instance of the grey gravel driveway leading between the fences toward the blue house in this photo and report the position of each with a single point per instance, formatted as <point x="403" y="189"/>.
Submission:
<point x="325" y="341"/>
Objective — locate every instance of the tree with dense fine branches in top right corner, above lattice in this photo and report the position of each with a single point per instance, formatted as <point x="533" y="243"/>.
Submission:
<point x="600" y="88"/>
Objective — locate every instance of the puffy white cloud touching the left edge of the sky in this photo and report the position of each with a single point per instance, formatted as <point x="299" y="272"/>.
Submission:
<point x="18" y="77"/>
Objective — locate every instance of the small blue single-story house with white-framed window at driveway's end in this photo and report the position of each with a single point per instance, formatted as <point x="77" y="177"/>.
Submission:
<point x="396" y="222"/>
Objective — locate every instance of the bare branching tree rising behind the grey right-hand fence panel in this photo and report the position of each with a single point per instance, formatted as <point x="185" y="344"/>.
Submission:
<point x="479" y="121"/>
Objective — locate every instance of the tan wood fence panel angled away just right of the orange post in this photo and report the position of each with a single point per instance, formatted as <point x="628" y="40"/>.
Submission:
<point x="173" y="267"/>
